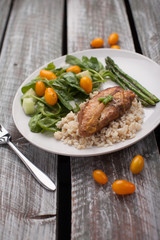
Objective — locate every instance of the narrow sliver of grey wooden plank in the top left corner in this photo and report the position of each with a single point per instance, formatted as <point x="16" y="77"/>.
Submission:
<point x="4" y="10"/>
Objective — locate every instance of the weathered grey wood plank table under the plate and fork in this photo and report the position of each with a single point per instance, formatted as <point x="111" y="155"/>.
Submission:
<point x="31" y="34"/>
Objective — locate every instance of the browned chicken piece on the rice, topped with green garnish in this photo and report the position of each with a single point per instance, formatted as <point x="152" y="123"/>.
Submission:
<point x="95" y="115"/>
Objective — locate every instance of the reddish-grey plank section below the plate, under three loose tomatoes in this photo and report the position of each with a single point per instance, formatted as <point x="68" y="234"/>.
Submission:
<point x="97" y="213"/>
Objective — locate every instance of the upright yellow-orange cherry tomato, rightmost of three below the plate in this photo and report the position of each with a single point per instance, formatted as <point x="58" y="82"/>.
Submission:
<point x="137" y="164"/>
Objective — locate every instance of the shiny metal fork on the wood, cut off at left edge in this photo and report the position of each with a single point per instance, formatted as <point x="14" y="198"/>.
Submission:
<point x="42" y="178"/>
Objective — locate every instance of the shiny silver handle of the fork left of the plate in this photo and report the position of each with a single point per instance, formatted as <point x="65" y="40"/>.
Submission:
<point x="41" y="177"/>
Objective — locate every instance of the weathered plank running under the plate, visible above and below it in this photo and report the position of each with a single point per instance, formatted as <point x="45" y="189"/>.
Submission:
<point x="97" y="213"/>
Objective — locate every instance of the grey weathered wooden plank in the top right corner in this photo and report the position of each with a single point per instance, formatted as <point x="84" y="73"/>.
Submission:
<point x="147" y="27"/>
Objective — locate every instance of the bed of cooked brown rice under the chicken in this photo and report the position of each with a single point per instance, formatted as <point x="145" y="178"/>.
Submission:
<point x="117" y="131"/>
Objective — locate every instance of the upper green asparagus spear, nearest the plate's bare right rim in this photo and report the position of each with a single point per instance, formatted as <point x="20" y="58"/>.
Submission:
<point x="133" y="81"/>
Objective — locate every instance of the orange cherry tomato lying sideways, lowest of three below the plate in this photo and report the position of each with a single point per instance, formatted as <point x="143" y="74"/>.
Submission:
<point x="123" y="187"/>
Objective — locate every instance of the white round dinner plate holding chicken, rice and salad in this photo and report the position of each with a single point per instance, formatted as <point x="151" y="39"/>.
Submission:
<point x="141" y="68"/>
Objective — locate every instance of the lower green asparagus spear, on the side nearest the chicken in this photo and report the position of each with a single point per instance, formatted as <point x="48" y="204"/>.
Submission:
<point x="130" y="86"/>
